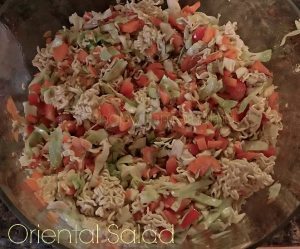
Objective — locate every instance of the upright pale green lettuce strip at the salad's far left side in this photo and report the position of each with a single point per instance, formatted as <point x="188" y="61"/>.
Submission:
<point x="55" y="147"/>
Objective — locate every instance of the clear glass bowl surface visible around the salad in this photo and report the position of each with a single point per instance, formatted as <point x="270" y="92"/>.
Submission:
<point x="262" y="24"/>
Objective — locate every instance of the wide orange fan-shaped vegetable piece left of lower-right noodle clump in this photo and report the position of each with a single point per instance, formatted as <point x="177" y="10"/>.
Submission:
<point x="202" y="163"/>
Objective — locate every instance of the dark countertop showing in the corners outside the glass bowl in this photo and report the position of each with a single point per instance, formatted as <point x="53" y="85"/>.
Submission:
<point x="288" y="236"/>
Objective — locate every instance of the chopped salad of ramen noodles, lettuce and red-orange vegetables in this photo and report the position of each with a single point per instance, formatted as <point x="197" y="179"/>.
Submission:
<point x="140" y="116"/>
